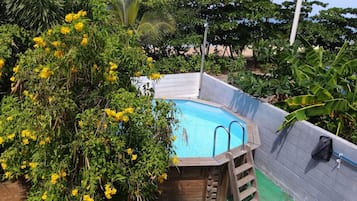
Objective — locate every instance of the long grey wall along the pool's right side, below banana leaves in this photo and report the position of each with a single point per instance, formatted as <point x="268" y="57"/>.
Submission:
<point x="286" y="156"/>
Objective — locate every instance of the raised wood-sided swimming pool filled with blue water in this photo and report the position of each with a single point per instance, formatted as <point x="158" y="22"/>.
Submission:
<point x="198" y="175"/>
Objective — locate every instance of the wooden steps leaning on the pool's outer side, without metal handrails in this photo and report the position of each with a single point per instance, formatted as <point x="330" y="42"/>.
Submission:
<point x="242" y="176"/>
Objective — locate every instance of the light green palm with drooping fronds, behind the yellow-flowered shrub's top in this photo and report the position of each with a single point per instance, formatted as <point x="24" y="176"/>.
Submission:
<point x="152" y="26"/>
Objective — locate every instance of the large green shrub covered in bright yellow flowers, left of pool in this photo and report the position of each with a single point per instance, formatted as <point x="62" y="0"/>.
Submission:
<point x="75" y="128"/>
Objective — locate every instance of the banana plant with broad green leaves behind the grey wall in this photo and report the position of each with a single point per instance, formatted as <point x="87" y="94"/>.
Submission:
<point x="331" y="90"/>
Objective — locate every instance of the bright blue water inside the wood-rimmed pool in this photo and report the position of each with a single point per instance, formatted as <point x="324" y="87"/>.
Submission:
<point x="195" y="133"/>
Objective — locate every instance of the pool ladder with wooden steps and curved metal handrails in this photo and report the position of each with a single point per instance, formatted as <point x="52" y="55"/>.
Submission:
<point x="242" y="176"/>
